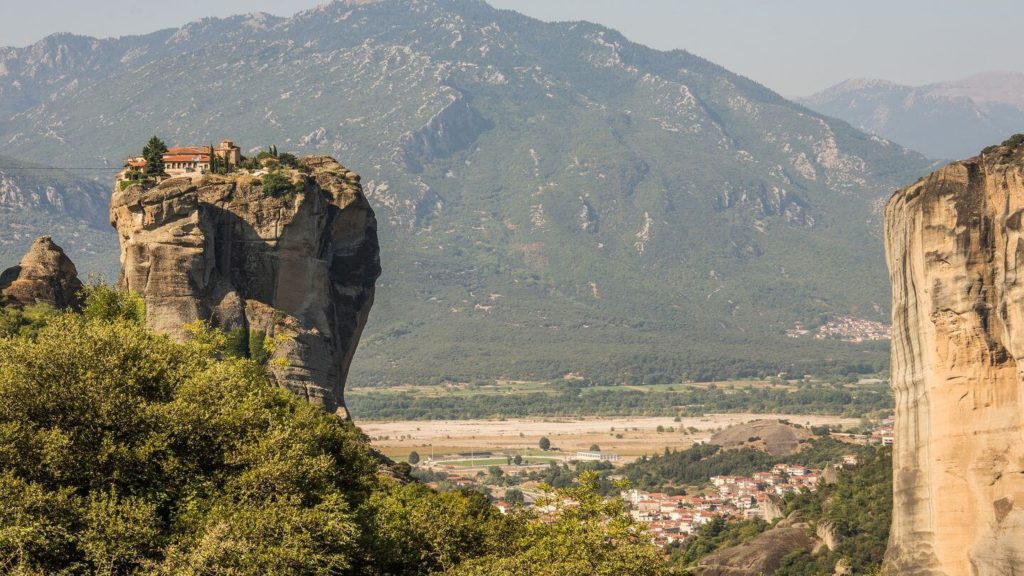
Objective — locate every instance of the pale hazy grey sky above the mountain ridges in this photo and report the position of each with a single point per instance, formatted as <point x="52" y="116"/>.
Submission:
<point x="793" y="47"/>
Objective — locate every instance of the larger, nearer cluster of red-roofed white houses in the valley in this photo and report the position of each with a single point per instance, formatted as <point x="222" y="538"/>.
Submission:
<point x="672" y="519"/>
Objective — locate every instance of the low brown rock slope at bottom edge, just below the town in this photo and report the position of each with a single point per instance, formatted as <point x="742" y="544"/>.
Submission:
<point x="763" y="554"/>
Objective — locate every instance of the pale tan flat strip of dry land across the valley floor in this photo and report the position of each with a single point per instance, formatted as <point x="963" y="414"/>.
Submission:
<point x="629" y="437"/>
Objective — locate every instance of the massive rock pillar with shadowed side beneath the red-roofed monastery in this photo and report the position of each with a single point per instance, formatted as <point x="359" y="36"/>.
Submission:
<point x="295" y="267"/>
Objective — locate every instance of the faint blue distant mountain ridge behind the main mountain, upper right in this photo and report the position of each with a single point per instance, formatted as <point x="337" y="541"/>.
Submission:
<point x="948" y="120"/>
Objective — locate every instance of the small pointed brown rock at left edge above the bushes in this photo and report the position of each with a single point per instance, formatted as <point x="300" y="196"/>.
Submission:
<point x="46" y="275"/>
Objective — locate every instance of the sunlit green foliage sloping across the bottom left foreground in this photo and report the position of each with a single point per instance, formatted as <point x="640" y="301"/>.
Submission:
<point x="123" y="452"/>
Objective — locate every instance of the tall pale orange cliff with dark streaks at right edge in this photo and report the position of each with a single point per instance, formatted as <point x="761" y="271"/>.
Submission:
<point x="956" y="254"/>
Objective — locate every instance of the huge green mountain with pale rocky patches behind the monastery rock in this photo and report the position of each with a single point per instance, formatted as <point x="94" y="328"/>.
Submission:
<point x="554" y="199"/>
